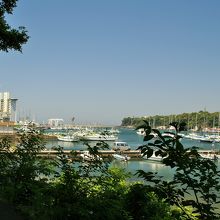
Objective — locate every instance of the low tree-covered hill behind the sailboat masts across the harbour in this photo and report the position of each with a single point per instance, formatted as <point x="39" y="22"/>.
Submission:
<point x="195" y="120"/>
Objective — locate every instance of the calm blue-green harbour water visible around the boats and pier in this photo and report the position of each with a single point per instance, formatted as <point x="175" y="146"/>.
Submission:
<point x="134" y="140"/>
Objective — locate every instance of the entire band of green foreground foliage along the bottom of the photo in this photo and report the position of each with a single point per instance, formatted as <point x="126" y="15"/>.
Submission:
<point x="66" y="188"/>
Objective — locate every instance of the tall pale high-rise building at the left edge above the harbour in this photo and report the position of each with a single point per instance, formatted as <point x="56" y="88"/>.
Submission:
<point x="7" y="107"/>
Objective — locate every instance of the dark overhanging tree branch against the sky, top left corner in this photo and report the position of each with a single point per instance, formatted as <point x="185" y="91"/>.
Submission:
<point x="10" y="38"/>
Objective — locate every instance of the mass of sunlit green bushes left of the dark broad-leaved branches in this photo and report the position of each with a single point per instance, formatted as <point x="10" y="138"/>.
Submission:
<point x="67" y="187"/>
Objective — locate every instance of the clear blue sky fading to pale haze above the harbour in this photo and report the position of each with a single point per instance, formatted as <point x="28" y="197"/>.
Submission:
<point x="102" y="60"/>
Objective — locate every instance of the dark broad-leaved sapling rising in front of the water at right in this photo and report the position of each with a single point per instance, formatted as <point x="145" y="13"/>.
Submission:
<point x="196" y="180"/>
